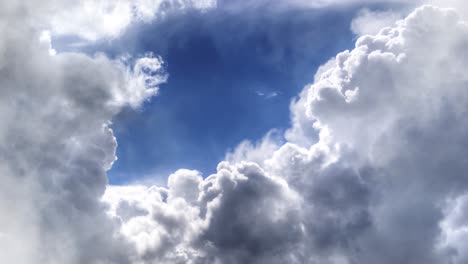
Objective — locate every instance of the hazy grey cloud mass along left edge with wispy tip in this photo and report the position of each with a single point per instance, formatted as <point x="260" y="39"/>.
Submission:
<point x="56" y="145"/>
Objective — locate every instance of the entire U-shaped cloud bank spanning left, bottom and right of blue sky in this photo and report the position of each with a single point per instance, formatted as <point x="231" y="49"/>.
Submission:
<point x="373" y="170"/>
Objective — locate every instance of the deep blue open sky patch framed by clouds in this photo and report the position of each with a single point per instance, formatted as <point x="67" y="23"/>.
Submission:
<point x="232" y="76"/>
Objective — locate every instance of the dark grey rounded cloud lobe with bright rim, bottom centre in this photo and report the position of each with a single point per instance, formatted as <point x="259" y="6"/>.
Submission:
<point x="250" y="214"/>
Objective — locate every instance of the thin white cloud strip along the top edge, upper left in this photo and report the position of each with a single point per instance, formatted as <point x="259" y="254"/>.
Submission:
<point x="93" y="20"/>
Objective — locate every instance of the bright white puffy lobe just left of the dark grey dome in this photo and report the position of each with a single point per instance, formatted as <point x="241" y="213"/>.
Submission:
<point x="160" y="226"/>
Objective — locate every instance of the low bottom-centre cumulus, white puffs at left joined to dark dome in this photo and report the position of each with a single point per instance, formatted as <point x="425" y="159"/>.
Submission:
<point x="237" y="214"/>
